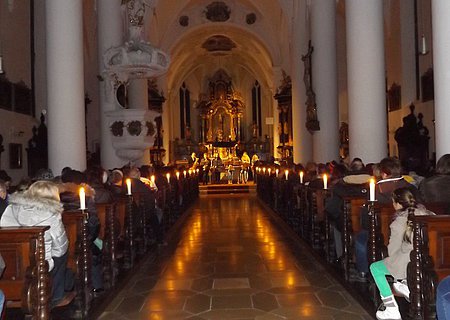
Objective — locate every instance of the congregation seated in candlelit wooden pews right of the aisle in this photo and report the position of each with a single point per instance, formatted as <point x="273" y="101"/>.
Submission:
<point x="348" y="218"/>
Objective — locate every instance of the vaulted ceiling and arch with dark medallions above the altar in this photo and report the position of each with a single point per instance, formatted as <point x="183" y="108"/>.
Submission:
<point x="258" y="30"/>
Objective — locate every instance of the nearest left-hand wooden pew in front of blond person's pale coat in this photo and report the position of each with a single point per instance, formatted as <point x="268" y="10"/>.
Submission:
<point x="26" y="281"/>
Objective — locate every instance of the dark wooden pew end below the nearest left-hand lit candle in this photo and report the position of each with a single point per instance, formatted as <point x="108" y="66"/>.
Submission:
<point x="79" y="259"/>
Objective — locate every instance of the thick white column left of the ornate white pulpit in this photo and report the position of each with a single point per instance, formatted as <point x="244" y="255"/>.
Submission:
<point x="65" y="85"/>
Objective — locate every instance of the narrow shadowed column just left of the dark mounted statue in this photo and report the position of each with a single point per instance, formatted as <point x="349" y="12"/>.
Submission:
<point x="302" y="141"/>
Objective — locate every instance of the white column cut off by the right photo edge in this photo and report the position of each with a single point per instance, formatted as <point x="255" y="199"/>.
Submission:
<point x="440" y="10"/>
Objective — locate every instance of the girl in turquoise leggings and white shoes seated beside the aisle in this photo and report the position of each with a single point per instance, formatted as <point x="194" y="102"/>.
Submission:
<point x="399" y="249"/>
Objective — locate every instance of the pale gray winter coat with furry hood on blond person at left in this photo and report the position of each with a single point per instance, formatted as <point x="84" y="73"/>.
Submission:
<point x="27" y="211"/>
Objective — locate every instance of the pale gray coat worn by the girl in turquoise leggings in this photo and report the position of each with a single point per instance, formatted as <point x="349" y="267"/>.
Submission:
<point x="398" y="248"/>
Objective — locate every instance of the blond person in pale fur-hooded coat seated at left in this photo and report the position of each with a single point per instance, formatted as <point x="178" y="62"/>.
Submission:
<point x="40" y="206"/>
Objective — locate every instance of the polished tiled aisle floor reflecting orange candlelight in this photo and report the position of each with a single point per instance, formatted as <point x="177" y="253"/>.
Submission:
<point x="229" y="261"/>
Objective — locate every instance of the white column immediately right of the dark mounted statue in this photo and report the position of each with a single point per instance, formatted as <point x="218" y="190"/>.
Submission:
<point x="324" y="76"/>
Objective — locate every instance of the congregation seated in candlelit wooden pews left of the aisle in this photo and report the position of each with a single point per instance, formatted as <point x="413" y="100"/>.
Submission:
<point x="62" y="250"/>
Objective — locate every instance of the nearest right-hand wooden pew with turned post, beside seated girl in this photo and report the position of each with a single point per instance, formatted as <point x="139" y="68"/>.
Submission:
<point x="430" y="263"/>
